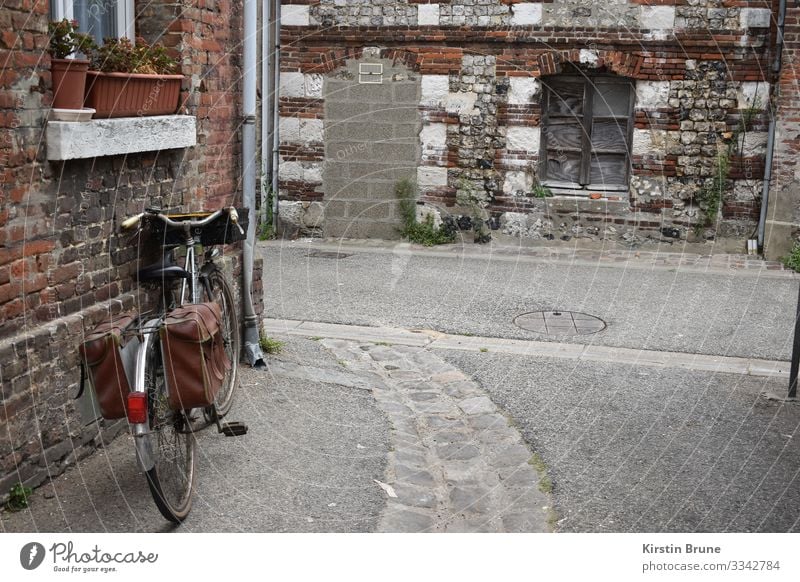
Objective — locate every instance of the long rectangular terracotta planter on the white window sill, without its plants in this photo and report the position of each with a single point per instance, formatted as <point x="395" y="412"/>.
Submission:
<point x="132" y="95"/>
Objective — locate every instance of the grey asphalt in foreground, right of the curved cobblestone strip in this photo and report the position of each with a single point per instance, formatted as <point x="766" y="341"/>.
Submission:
<point x="645" y="449"/>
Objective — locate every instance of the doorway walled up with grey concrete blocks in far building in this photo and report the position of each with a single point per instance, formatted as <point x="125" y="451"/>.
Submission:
<point x="371" y="142"/>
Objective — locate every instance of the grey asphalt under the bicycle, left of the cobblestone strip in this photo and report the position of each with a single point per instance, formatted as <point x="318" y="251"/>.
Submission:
<point x="307" y="464"/>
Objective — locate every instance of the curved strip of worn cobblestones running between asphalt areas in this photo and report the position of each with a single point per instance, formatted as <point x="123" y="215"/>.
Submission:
<point x="457" y="463"/>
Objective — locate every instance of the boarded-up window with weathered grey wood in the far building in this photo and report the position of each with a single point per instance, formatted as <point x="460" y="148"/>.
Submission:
<point x="586" y="132"/>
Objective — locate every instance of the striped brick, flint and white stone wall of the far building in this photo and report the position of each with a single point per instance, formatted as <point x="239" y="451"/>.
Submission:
<point x="700" y="68"/>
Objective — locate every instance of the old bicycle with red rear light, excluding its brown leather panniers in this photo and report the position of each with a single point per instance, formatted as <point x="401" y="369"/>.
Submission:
<point x="164" y="437"/>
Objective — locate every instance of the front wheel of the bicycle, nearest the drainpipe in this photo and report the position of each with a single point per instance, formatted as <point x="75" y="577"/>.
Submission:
<point x="221" y="293"/>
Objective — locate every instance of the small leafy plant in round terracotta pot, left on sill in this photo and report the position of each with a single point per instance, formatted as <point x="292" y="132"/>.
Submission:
<point x="68" y="75"/>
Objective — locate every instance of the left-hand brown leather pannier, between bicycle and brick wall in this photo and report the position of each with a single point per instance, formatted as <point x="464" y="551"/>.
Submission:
<point x="101" y="354"/>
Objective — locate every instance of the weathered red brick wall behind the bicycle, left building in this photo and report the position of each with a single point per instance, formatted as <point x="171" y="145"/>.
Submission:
<point x="62" y="265"/>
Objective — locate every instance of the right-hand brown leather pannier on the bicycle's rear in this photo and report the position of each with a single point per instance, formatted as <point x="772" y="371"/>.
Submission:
<point x="194" y="355"/>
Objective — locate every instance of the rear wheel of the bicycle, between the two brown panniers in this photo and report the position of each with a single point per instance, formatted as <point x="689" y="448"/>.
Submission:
<point x="171" y="480"/>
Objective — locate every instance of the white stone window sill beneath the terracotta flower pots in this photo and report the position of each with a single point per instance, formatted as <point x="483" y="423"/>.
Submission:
<point x="68" y="140"/>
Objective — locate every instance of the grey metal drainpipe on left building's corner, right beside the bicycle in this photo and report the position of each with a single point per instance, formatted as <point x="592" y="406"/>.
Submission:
<point x="251" y="331"/>
